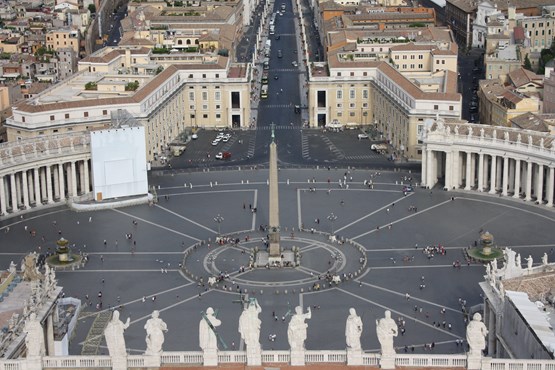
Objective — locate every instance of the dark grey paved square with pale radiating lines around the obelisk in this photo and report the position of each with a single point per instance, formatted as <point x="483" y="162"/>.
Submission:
<point x="378" y="224"/>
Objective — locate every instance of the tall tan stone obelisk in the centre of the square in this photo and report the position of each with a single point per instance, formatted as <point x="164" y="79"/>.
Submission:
<point x="273" y="235"/>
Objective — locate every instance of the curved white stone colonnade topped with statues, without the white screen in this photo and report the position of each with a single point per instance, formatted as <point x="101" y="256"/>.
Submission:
<point x="472" y="157"/>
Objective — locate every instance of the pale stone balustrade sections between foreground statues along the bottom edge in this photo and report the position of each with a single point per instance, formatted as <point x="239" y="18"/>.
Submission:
<point x="281" y="357"/>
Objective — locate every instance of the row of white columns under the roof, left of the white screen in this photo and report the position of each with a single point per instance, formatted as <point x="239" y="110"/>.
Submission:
<point x="44" y="184"/>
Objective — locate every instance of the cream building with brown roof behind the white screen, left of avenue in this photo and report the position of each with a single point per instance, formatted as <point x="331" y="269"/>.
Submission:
<point x="164" y="98"/>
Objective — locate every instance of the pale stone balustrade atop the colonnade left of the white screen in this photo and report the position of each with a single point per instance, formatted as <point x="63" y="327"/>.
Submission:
<point x="25" y="152"/>
